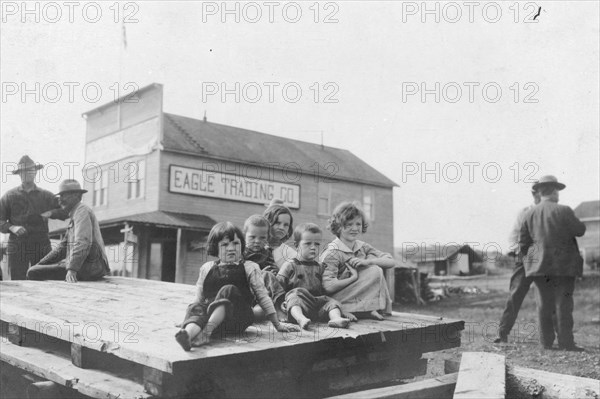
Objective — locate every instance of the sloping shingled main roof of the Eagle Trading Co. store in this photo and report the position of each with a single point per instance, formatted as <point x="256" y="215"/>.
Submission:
<point x="217" y="141"/>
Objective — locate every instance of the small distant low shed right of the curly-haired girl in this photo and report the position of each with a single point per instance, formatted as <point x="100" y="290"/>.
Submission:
<point x="451" y="259"/>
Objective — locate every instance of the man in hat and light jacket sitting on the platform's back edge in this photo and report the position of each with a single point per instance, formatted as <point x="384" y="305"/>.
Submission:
<point x="81" y="254"/>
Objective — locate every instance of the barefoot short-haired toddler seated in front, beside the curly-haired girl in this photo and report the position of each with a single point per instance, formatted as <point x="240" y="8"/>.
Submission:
<point x="305" y="299"/>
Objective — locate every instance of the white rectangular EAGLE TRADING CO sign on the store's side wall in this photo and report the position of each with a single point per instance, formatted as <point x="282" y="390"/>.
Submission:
<point x="230" y="186"/>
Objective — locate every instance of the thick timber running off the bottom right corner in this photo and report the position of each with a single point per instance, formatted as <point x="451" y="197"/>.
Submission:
<point x="527" y="382"/>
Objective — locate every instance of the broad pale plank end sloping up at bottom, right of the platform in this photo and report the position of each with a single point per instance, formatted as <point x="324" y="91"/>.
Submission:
<point x="481" y="375"/>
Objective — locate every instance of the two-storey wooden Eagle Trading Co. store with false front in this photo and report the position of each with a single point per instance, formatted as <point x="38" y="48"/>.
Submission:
<point x="158" y="182"/>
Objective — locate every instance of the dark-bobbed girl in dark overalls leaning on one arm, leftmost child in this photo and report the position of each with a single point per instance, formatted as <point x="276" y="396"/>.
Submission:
<point x="226" y="289"/>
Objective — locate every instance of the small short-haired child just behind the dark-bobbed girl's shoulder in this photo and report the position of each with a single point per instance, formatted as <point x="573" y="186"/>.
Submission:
<point x="256" y="230"/>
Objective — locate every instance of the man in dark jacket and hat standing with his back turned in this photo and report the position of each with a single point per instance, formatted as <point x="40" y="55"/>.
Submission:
<point x="551" y="258"/>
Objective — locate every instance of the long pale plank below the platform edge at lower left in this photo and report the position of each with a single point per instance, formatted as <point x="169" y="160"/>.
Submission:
<point x="51" y="367"/>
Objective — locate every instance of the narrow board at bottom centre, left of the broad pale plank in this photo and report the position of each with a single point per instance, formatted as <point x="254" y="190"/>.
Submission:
<point x="439" y="388"/>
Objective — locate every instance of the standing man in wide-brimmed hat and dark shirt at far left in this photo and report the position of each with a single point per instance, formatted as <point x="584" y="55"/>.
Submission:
<point x="24" y="213"/>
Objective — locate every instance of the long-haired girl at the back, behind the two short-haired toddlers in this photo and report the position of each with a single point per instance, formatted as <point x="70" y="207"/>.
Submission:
<point x="281" y="221"/>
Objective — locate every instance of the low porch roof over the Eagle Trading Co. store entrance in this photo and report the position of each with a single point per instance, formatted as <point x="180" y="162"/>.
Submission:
<point x="186" y="221"/>
